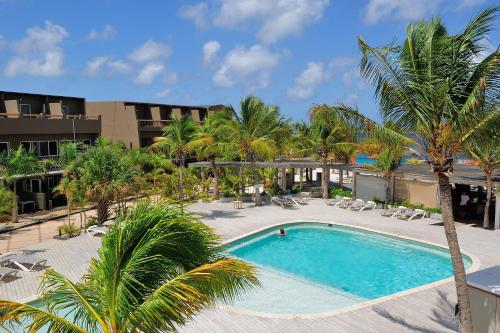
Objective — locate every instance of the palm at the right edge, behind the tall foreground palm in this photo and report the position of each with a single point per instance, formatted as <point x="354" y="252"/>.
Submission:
<point x="485" y="150"/>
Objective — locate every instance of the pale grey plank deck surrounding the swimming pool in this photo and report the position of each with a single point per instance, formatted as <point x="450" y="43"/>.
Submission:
<point x="427" y="310"/>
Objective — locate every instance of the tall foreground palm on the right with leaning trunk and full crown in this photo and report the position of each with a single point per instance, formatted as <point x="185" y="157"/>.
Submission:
<point x="433" y="87"/>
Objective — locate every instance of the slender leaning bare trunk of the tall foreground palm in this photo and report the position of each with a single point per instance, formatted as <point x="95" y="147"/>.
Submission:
<point x="456" y="256"/>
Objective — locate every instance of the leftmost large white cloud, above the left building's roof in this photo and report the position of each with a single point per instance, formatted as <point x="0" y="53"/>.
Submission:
<point x="39" y="53"/>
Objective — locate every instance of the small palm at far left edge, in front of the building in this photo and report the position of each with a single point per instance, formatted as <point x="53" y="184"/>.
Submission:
<point x="17" y="163"/>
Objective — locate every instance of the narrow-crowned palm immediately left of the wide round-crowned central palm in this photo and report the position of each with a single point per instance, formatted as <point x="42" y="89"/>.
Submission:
<point x="209" y="144"/>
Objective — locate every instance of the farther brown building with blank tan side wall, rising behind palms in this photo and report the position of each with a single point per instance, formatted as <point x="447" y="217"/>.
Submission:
<point x="136" y="124"/>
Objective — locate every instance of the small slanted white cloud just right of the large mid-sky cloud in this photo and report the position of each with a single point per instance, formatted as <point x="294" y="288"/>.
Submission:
<point x="305" y="84"/>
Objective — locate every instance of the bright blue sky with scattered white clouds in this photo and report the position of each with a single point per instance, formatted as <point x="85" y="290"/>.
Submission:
<point x="292" y="53"/>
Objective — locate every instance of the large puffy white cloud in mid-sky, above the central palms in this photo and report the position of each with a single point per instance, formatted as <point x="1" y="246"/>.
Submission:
<point x="249" y="67"/>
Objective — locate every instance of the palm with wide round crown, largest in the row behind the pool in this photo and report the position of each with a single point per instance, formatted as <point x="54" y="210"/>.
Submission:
<point x="254" y="132"/>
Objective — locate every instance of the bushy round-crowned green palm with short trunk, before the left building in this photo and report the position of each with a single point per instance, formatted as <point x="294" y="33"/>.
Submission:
<point x="103" y="174"/>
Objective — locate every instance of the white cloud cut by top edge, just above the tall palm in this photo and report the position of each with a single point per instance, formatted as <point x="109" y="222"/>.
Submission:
<point x="377" y="10"/>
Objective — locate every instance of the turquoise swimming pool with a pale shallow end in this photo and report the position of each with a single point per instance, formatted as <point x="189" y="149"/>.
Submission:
<point x="318" y="267"/>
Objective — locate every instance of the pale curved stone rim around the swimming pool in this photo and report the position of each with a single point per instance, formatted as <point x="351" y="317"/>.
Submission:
<point x="476" y="263"/>
